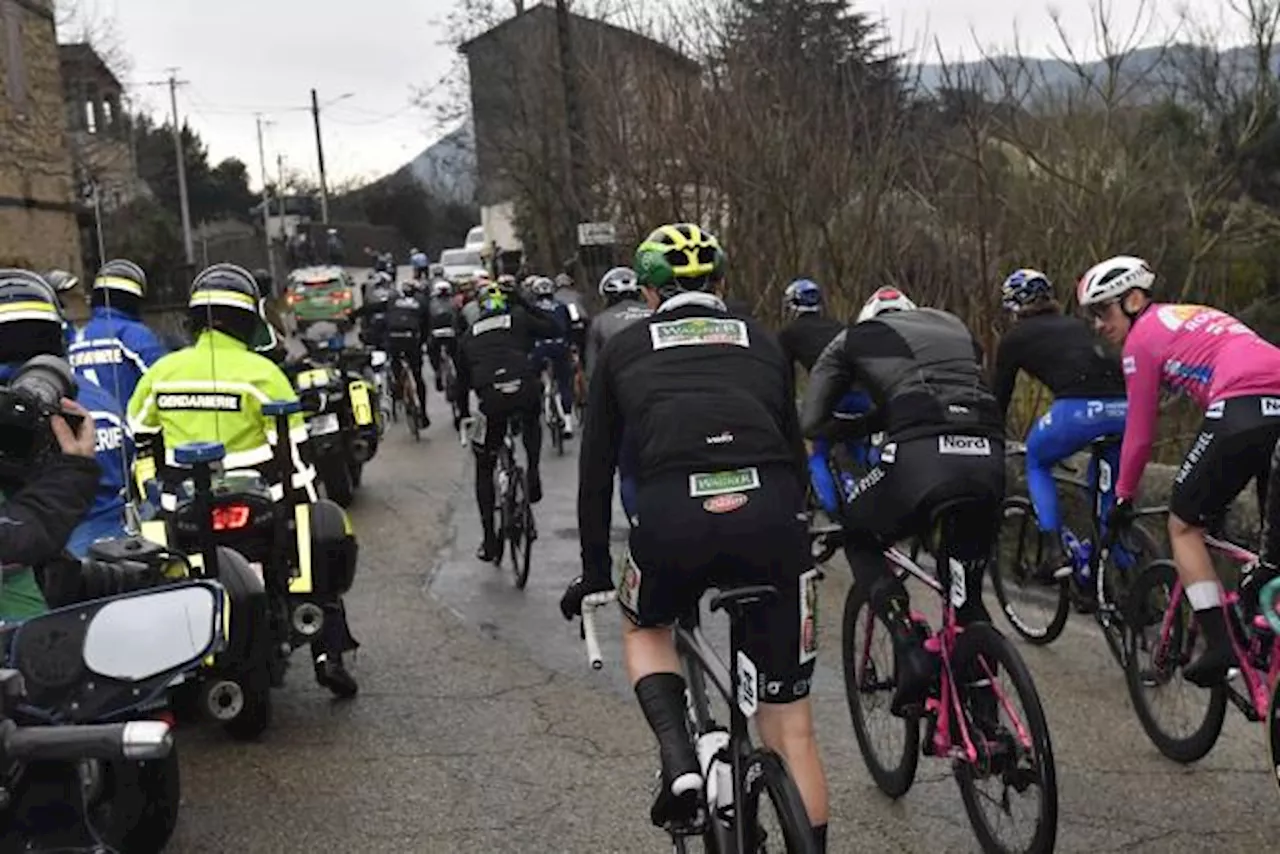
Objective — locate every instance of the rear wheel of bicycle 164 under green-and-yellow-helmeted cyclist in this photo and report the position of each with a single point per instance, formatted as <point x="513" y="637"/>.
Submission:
<point x="784" y="824"/>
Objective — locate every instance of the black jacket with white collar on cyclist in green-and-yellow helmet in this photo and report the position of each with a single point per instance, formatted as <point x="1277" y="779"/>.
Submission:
<point x="697" y="390"/>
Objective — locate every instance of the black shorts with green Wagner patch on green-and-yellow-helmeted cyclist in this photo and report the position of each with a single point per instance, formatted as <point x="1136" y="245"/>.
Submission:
<point x="721" y="531"/>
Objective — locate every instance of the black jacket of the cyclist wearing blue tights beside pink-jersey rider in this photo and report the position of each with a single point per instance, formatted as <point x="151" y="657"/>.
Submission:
<point x="1059" y="351"/>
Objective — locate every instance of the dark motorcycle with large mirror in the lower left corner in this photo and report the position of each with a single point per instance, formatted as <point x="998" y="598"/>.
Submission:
<point x="85" y="765"/>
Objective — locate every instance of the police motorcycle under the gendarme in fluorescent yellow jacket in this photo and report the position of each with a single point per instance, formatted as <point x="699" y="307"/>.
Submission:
<point x="300" y="558"/>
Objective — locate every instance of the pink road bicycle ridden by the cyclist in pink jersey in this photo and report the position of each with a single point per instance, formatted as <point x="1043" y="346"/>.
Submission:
<point x="1165" y="638"/>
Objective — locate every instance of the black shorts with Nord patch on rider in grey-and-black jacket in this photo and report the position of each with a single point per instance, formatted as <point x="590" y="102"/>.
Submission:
<point x="895" y="499"/>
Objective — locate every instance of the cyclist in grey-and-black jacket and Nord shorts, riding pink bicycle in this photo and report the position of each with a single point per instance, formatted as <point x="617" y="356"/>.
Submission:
<point x="944" y="442"/>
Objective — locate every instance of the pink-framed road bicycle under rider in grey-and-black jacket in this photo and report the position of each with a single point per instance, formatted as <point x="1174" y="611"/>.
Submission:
<point x="970" y="718"/>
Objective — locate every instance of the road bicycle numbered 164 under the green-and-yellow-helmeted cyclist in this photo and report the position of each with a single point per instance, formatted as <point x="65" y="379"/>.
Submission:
<point x="739" y="779"/>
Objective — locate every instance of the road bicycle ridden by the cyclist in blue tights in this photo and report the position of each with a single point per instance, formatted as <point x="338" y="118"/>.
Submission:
<point x="1028" y="581"/>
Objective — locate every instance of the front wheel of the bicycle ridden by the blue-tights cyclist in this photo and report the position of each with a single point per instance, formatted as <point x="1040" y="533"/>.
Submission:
<point x="1036" y="609"/>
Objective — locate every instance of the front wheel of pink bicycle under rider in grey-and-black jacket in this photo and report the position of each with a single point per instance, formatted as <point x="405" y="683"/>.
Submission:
<point x="868" y="688"/>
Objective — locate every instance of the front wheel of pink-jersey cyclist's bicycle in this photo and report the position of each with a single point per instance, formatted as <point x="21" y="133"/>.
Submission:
<point x="1163" y="636"/>
